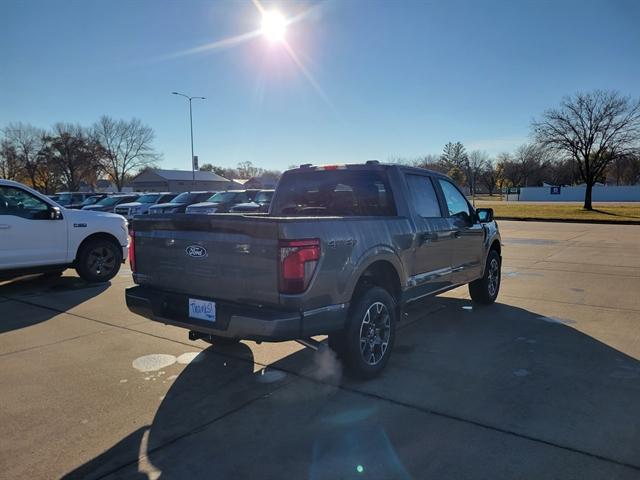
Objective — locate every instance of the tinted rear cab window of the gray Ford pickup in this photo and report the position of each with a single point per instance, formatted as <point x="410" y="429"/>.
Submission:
<point x="341" y="192"/>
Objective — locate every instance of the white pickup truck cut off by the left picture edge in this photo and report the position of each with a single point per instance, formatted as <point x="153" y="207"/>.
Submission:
<point x="39" y="236"/>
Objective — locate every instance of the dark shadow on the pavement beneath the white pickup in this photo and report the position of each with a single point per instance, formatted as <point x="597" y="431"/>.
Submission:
<point x="27" y="290"/>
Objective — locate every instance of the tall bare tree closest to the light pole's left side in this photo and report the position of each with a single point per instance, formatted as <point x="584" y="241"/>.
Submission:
<point x="126" y="147"/>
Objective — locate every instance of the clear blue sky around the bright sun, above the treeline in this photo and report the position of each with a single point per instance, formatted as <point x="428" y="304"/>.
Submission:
<point x="390" y="78"/>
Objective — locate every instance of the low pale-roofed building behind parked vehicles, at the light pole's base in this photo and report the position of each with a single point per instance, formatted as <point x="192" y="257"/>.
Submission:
<point x="157" y="180"/>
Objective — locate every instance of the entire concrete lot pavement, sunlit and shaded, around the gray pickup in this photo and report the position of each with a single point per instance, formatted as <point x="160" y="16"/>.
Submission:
<point x="545" y="384"/>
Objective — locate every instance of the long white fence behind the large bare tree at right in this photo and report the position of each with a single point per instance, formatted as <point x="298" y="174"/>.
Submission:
<point x="576" y="194"/>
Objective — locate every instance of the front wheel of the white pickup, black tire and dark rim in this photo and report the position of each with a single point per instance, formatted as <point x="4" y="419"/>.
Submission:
<point x="99" y="260"/>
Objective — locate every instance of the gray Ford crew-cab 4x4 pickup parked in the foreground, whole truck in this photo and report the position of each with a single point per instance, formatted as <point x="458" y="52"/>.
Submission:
<point x="341" y="252"/>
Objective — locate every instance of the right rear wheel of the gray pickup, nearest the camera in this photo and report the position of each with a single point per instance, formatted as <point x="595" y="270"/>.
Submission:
<point x="366" y="343"/>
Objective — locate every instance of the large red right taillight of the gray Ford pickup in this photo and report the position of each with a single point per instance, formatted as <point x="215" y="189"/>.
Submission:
<point x="298" y="260"/>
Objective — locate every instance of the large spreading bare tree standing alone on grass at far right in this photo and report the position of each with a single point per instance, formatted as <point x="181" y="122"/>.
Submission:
<point x="593" y="128"/>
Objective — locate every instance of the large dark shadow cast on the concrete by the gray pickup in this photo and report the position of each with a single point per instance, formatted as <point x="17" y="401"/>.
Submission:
<point x="493" y="392"/>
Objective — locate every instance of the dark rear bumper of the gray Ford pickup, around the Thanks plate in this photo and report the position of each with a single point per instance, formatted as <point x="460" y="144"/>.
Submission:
<point x="236" y="320"/>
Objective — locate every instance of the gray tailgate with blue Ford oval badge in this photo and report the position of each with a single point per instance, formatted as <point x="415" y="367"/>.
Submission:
<point x="225" y="257"/>
